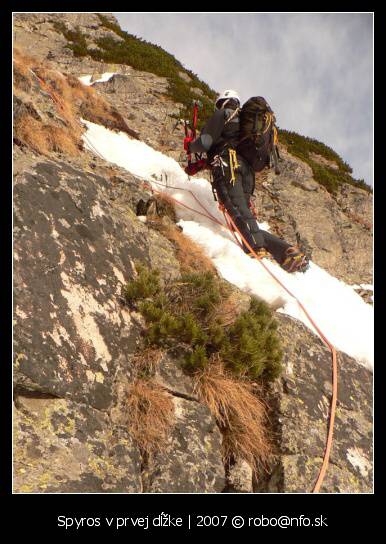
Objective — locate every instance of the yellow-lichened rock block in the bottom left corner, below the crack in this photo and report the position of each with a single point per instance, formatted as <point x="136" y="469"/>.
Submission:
<point x="64" y="447"/>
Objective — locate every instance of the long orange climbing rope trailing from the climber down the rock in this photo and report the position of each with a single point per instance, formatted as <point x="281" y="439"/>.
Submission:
<point x="240" y="240"/>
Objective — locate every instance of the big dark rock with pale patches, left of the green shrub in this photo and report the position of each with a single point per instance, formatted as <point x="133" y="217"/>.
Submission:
<point x="74" y="251"/>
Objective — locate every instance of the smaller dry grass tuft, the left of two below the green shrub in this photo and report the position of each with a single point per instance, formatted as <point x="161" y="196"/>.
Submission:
<point x="150" y="415"/>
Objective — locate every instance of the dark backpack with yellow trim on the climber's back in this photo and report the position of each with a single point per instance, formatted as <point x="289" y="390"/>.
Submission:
<point x="258" y="135"/>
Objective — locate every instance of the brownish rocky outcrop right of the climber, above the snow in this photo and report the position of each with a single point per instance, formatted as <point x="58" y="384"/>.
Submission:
<point x="303" y="212"/>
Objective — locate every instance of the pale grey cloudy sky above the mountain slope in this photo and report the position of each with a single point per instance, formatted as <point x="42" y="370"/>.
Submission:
<point x="316" y="70"/>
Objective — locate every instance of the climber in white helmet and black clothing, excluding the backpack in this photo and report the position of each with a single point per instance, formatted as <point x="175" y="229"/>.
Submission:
<point x="233" y="182"/>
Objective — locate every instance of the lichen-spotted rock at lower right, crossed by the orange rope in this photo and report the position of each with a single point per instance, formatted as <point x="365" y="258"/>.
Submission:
<point x="300" y="406"/>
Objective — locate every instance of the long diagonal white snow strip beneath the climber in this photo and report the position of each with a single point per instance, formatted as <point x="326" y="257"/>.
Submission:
<point x="345" y="319"/>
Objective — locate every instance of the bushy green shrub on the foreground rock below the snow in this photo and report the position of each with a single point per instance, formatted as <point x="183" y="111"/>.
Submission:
<point x="183" y="312"/>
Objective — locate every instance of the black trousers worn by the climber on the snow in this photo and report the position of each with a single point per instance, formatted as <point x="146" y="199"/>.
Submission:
<point x="236" y="197"/>
